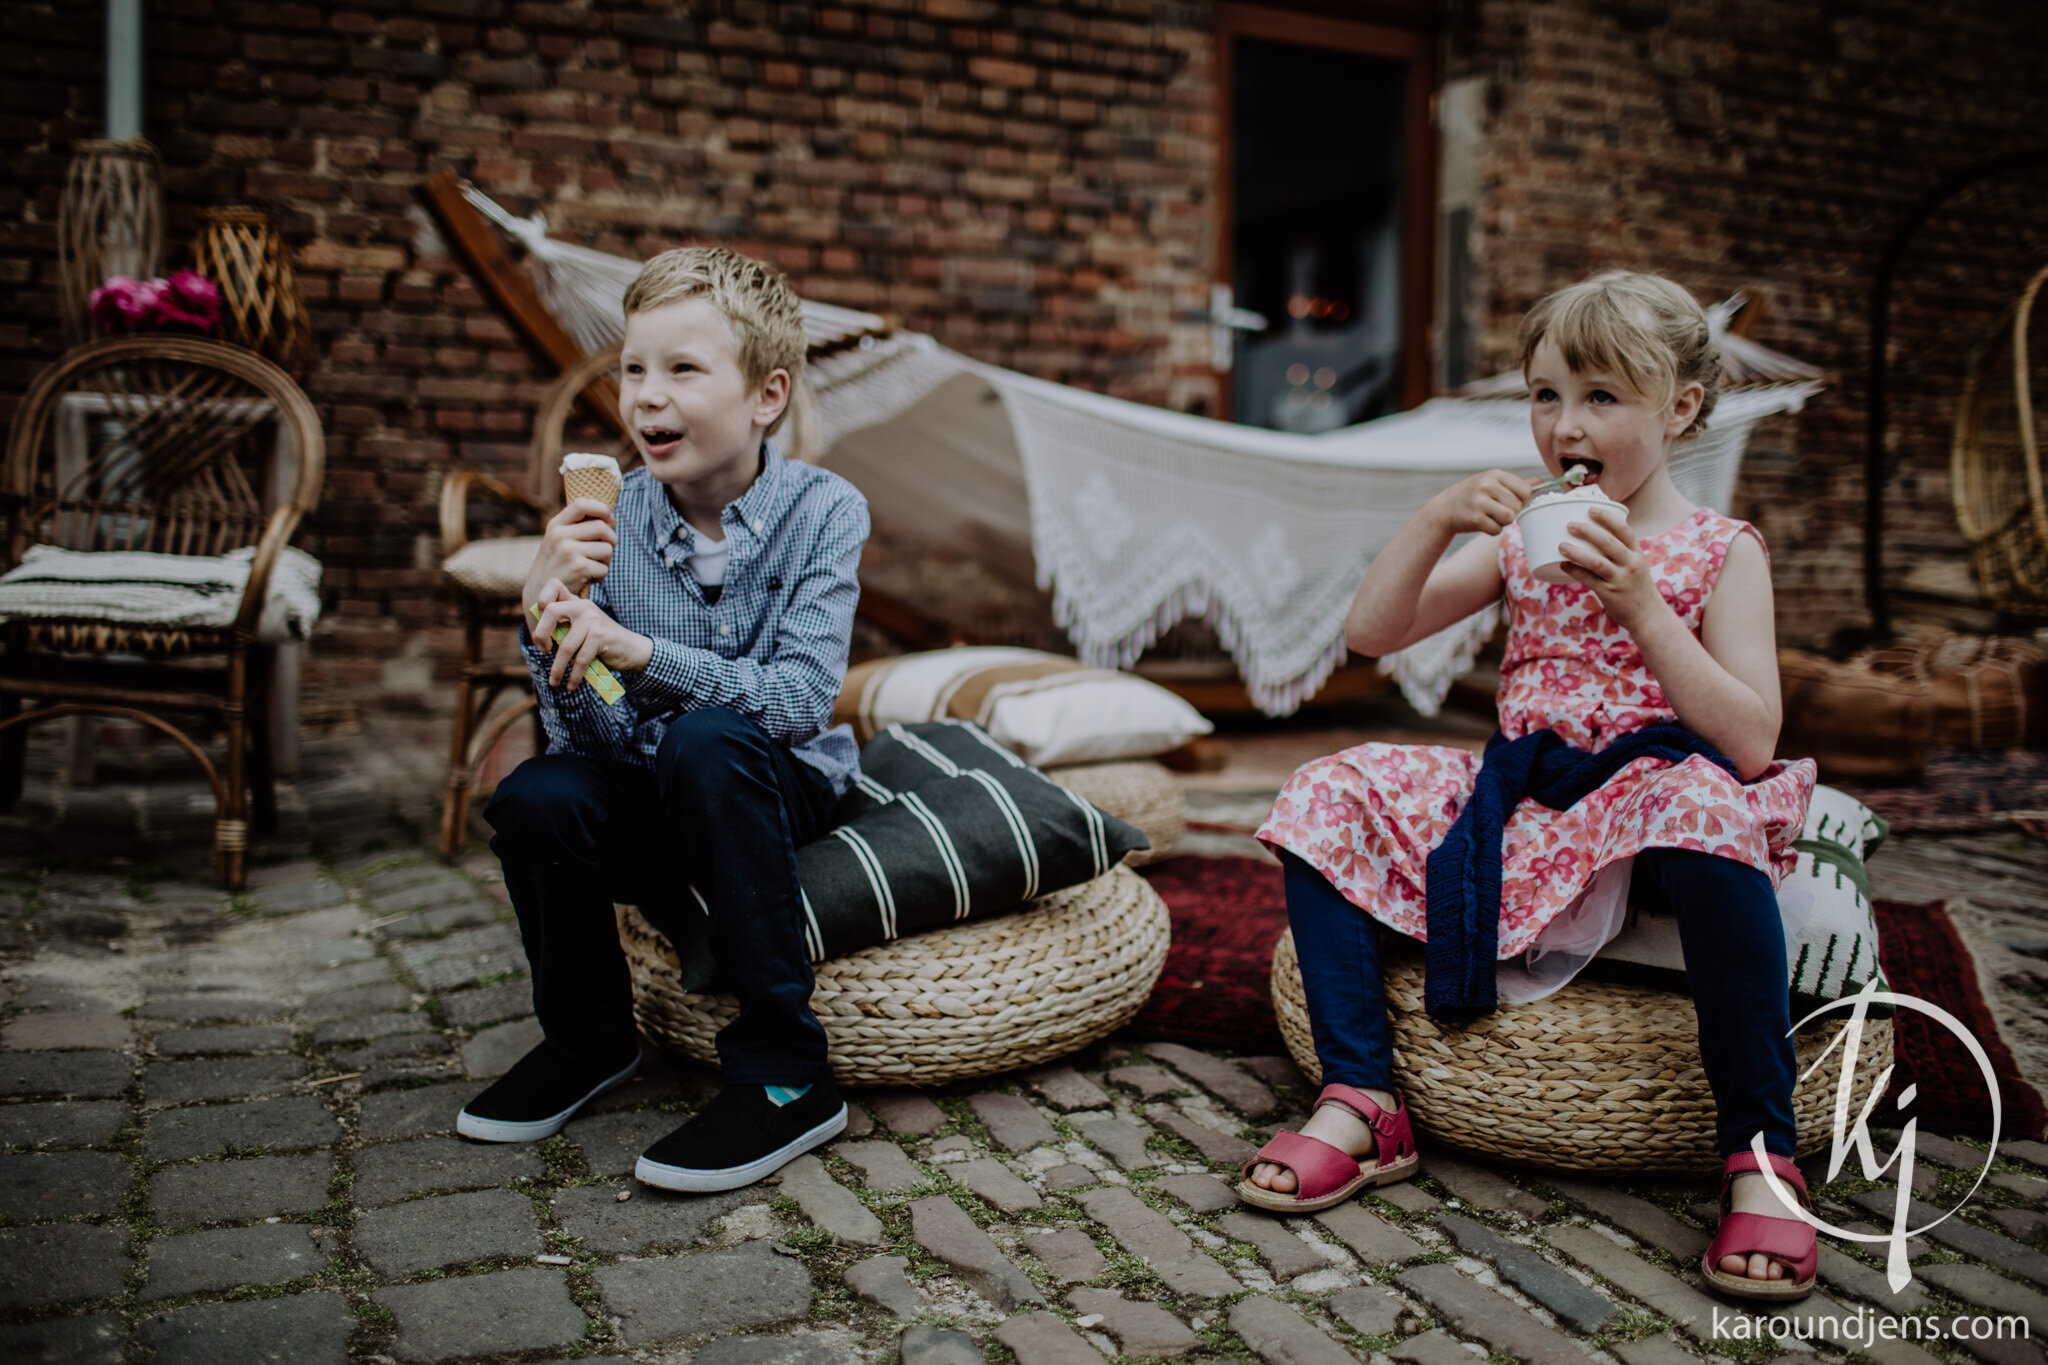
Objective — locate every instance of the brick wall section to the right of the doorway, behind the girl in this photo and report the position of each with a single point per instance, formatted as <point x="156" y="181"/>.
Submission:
<point x="1764" y="146"/>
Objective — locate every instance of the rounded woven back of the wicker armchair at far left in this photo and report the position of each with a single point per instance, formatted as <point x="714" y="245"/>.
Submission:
<point x="163" y="445"/>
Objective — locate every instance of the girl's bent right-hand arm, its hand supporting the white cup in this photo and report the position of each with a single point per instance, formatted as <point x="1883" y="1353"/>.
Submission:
<point x="1723" y="685"/>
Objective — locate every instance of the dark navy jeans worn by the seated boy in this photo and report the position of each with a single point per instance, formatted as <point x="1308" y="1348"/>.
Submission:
<point x="724" y="811"/>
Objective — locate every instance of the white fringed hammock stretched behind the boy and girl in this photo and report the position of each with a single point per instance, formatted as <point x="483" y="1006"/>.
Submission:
<point x="1138" y="517"/>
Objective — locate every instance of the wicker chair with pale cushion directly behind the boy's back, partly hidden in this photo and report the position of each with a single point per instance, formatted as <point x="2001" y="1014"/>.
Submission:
<point x="486" y="576"/>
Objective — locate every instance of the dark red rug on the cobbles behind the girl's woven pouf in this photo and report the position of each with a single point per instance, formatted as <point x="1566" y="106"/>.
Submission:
<point x="1230" y="914"/>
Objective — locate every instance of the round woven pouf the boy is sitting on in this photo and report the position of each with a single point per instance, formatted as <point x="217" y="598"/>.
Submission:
<point x="974" y="1000"/>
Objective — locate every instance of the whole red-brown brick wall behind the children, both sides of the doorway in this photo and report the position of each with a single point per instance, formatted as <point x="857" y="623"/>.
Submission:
<point x="1031" y="185"/>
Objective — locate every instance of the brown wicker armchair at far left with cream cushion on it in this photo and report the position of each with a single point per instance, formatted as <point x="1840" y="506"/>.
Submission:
<point x="202" y="449"/>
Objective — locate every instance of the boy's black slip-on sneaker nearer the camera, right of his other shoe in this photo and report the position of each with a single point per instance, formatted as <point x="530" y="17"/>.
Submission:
<point x="742" y="1137"/>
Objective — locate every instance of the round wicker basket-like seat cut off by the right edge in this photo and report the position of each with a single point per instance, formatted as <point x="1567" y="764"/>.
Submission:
<point x="1996" y="464"/>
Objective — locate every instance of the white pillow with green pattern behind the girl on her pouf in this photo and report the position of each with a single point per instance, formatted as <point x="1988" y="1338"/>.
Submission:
<point x="1832" y="932"/>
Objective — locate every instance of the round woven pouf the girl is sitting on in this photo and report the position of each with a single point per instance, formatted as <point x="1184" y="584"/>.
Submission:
<point x="1594" y="1077"/>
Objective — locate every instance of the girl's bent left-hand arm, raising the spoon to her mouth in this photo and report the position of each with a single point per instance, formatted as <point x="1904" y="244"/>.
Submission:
<point x="1412" y="590"/>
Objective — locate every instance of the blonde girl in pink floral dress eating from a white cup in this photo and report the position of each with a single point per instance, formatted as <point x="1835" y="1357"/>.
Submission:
<point x="1666" y="623"/>
